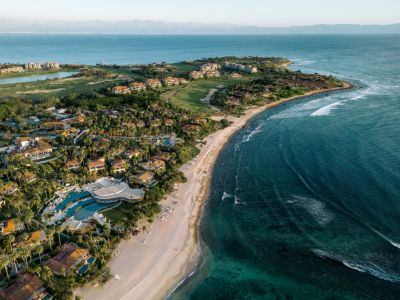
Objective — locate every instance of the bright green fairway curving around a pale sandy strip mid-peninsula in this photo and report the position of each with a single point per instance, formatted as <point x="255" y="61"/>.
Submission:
<point x="190" y="97"/>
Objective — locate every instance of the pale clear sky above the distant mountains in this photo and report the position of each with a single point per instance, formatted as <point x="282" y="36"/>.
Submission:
<point x="241" y="12"/>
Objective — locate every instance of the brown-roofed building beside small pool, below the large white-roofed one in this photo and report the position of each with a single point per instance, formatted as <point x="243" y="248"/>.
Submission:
<point x="70" y="256"/>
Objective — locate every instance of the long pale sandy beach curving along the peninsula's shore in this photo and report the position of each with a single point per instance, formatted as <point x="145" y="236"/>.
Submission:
<point x="150" y="265"/>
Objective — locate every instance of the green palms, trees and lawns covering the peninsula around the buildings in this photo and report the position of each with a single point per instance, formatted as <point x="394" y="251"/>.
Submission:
<point x="113" y="125"/>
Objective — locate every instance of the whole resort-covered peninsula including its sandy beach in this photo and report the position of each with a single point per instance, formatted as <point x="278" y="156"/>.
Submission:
<point x="94" y="160"/>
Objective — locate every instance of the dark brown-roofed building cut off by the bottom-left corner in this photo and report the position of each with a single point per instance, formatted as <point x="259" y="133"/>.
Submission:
<point x="27" y="287"/>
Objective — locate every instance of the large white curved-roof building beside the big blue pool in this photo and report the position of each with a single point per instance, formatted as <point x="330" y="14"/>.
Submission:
<point x="109" y="190"/>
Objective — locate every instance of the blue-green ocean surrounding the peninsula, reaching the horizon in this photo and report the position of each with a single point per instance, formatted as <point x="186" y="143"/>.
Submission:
<point x="305" y="200"/>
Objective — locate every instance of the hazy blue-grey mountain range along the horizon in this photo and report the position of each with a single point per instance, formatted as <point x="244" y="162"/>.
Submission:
<point x="155" y="27"/>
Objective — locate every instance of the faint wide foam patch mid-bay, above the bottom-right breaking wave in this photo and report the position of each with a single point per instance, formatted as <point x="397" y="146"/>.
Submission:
<point x="315" y="208"/>
